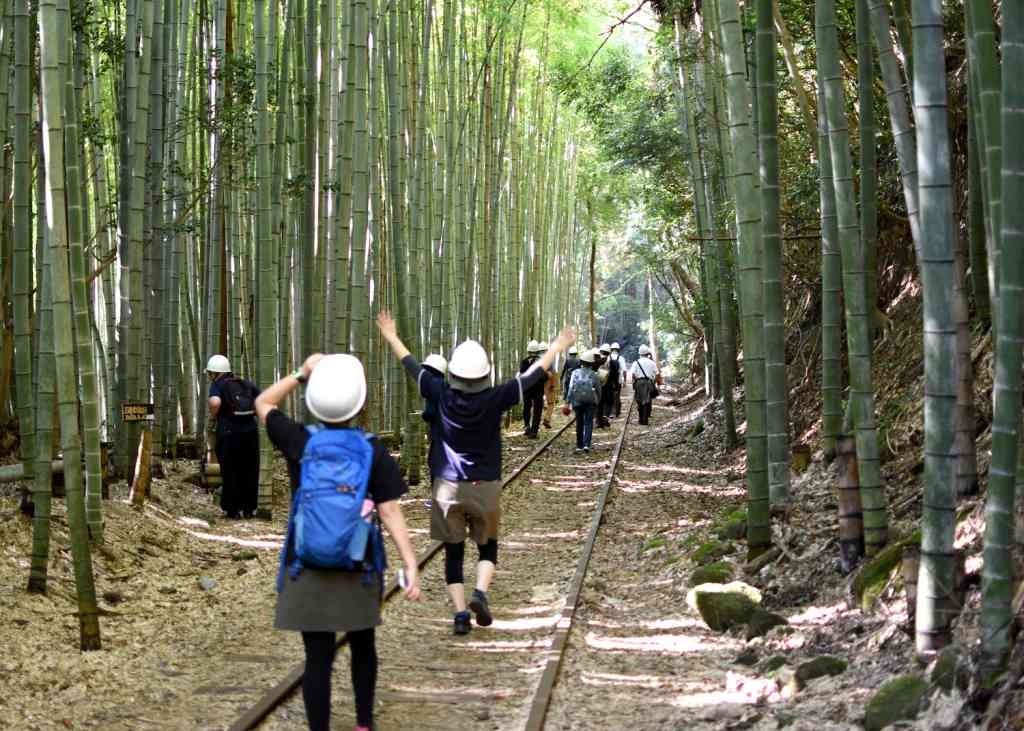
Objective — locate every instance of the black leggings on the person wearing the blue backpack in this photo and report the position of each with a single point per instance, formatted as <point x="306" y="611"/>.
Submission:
<point x="317" y="679"/>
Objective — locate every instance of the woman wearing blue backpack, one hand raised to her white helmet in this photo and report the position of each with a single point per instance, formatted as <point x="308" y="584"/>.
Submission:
<point x="339" y="477"/>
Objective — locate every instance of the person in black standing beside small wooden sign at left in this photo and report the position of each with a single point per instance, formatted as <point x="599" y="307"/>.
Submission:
<point x="231" y="403"/>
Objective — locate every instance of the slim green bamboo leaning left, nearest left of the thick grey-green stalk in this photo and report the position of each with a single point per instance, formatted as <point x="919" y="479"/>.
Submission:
<point x="855" y="284"/>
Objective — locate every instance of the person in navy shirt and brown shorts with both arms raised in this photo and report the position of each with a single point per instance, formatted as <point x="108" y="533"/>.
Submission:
<point x="467" y="490"/>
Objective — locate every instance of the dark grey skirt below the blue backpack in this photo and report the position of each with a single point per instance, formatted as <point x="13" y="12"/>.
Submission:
<point x="321" y="600"/>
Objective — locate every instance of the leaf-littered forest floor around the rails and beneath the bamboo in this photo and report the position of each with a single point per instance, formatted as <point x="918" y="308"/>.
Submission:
<point x="189" y="601"/>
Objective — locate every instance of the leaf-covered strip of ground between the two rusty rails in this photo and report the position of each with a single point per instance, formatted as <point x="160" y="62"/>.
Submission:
<point x="431" y="679"/>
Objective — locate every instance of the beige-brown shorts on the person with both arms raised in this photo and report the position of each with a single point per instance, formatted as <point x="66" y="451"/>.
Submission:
<point x="465" y="507"/>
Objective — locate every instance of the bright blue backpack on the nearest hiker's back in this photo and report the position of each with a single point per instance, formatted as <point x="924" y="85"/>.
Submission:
<point x="327" y="527"/>
